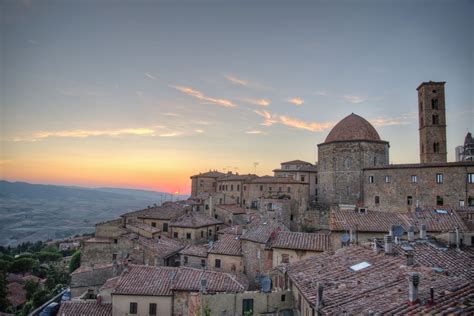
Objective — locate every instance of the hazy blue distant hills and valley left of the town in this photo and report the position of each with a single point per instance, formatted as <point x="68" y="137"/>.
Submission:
<point x="39" y="212"/>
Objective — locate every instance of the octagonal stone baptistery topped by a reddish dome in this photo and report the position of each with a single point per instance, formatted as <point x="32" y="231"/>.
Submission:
<point x="352" y="145"/>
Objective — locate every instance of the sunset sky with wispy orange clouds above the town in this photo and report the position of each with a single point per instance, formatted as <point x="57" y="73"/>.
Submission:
<point x="145" y="94"/>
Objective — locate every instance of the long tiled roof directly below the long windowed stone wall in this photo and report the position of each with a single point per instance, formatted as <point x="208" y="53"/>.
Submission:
<point x="378" y="221"/>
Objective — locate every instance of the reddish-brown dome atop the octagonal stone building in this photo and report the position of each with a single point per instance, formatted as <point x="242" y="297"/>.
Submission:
<point x="353" y="127"/>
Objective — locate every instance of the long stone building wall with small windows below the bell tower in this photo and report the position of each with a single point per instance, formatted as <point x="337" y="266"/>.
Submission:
<point x="394" y="195"/>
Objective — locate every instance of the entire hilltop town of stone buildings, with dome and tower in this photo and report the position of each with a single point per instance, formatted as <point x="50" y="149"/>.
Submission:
<point x="350" y="234"/>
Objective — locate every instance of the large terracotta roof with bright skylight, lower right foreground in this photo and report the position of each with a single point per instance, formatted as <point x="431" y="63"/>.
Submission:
<point x="382" y="286"/>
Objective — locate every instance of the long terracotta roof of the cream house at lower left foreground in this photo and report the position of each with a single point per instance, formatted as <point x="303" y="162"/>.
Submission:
<point x="161" y="281"/>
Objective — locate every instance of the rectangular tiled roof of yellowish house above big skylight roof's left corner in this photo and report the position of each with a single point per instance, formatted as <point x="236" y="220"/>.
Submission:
<point x="302" y="241"/>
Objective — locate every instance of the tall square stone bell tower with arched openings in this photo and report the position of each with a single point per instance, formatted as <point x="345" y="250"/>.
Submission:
<point x="432" y="117"/>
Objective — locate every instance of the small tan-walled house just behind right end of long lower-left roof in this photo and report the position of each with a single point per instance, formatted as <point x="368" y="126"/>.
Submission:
<point x="225" y="254"/>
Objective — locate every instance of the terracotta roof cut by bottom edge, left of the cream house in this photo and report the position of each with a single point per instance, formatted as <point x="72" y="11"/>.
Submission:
<point x="85" y="308"/>
